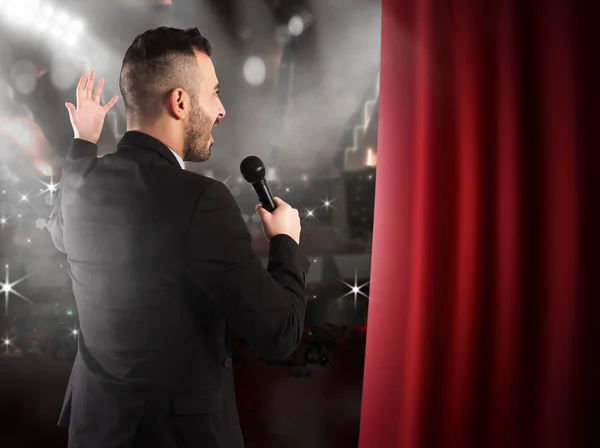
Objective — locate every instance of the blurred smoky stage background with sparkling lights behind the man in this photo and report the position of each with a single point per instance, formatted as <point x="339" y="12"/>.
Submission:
<point x="300" y="83"/>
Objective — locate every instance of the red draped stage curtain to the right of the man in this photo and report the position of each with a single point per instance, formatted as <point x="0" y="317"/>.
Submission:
<point x="485" y="248"/>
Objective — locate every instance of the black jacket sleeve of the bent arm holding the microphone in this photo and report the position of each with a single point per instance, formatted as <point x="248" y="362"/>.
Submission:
<point x="267" y="306"/>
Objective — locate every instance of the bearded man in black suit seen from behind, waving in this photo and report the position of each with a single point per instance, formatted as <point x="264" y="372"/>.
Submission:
<point x="161" y="261"/>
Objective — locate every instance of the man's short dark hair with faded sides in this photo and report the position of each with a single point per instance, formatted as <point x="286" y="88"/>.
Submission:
<point x="157" y="62"/>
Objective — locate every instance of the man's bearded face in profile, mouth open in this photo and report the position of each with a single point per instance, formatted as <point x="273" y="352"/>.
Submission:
<point x="206" y="112"/>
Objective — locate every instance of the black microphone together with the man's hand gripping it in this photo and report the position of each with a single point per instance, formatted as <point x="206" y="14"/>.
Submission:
<point x="276" y="216"/>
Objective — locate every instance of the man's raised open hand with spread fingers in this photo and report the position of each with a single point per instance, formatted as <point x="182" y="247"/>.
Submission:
<point x="88" y="118"/>
